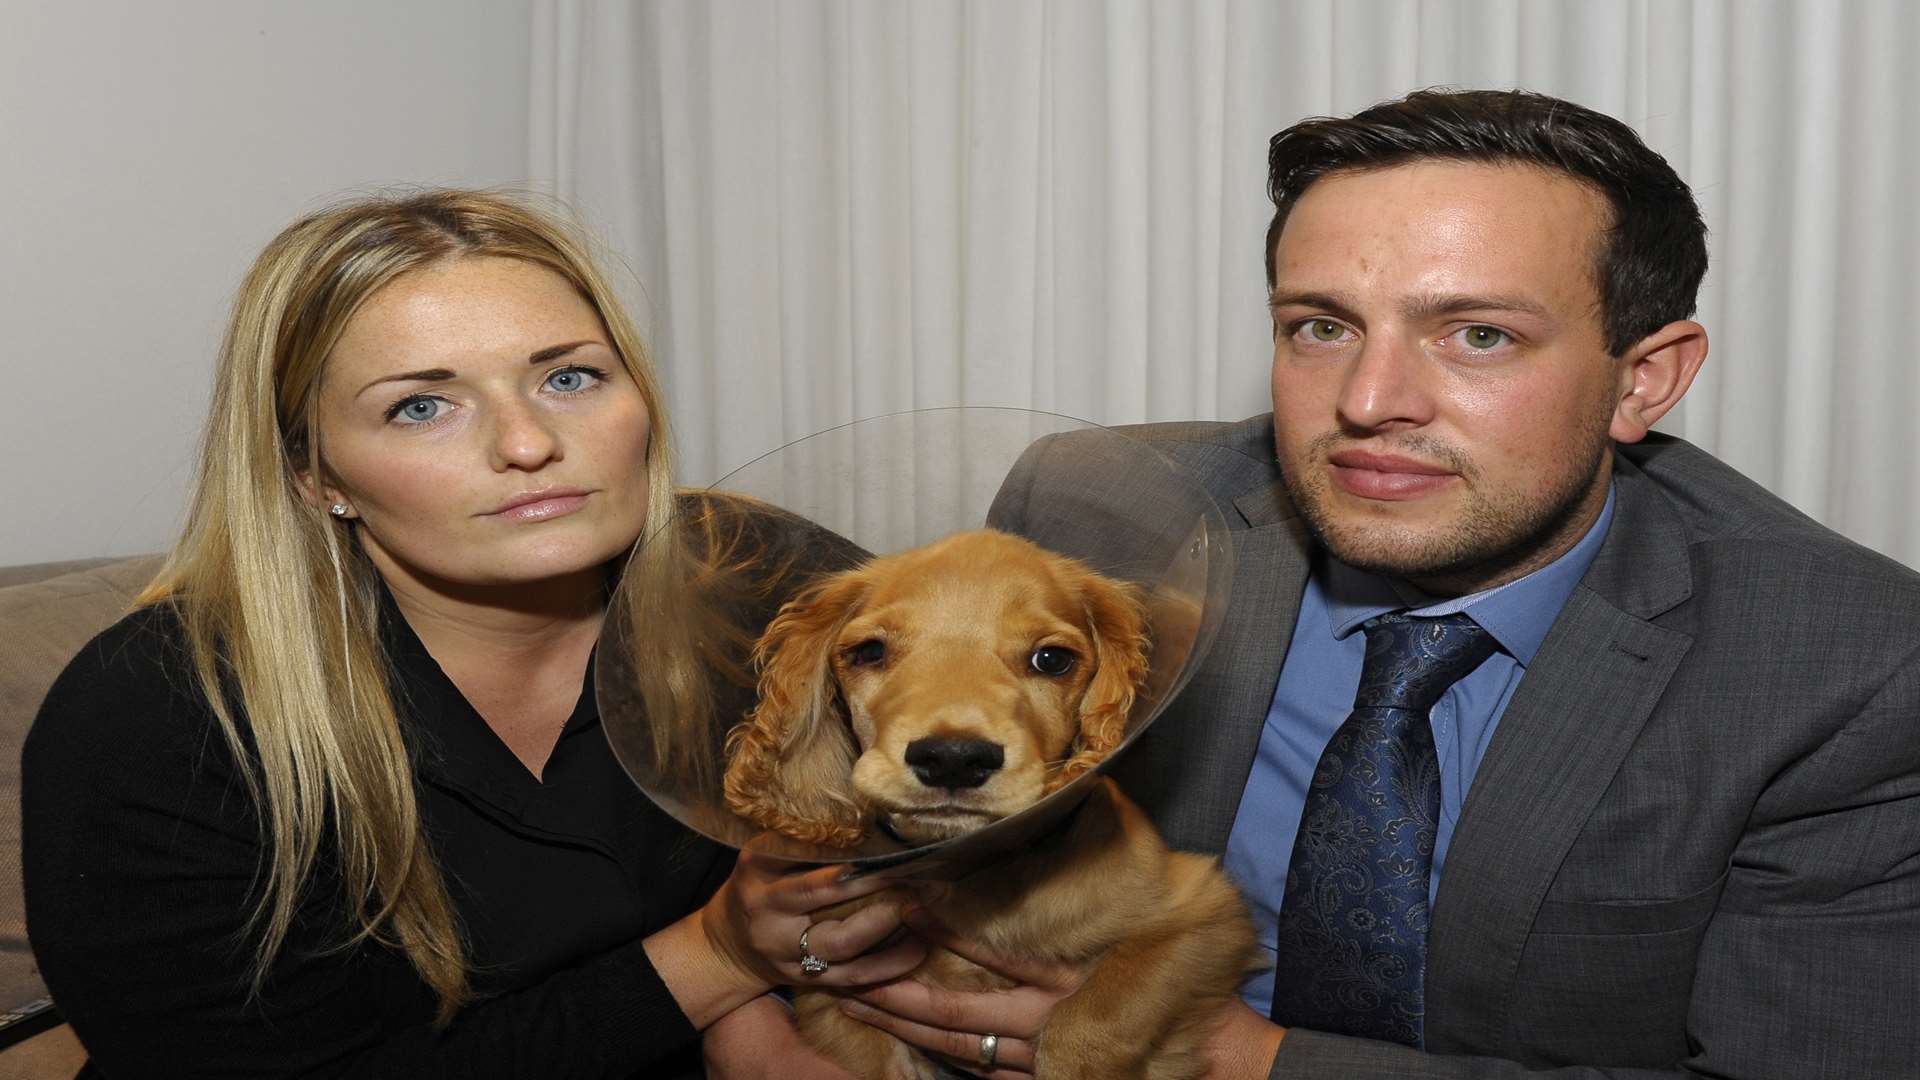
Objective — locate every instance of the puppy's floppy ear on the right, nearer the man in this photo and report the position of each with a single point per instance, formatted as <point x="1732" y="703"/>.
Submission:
<point x="1118" y="626"/>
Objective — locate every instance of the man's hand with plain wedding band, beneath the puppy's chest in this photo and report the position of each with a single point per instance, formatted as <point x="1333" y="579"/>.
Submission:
<point x="955" y="1023"/>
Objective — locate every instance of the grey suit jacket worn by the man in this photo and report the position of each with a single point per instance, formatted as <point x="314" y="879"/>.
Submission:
<point x="1694" y="843"/>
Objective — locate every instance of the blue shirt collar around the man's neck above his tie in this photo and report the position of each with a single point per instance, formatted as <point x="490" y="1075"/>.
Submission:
<point x="1518" y="614"/>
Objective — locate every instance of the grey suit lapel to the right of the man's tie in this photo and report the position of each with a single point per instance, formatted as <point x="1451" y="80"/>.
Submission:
<point x="1566" y="733"/>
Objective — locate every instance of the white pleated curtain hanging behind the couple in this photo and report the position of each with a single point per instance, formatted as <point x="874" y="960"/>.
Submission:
<point x="842" y="209"/>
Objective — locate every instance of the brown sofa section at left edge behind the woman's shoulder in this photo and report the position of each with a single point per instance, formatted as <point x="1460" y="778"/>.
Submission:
<point x="47" y="614"/>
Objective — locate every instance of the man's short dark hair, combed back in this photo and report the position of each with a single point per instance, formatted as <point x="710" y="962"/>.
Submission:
<point x="1654" y="255"/>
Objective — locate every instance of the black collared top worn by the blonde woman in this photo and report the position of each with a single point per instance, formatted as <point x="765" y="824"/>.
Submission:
<point x="141" y="858"/>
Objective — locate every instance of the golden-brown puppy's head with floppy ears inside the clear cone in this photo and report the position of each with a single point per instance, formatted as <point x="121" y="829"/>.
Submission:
<point x="936" y="691"/>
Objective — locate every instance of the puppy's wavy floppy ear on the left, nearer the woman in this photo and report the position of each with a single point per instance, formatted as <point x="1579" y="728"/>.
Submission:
<point x="790" y="762"/>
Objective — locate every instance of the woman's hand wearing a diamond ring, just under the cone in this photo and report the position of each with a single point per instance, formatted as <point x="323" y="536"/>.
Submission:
<point x="748" y="937"/>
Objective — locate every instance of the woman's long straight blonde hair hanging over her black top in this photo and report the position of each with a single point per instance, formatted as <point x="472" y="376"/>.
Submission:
<point x="279" y="604"/>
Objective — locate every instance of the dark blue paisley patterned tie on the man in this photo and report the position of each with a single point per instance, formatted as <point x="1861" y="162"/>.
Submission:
<point x="1353" y="945"/>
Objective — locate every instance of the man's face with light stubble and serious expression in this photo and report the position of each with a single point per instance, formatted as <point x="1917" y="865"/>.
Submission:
<point x="1441" y="385"/>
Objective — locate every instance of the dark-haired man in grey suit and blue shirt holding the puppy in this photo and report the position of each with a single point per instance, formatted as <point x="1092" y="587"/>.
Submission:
<point x="1677" y="816"/>
